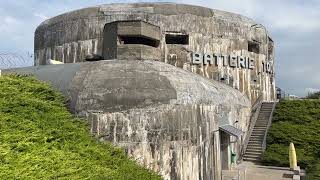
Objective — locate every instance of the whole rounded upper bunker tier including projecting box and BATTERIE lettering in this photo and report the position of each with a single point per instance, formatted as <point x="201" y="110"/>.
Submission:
<point x="231" y="48"/>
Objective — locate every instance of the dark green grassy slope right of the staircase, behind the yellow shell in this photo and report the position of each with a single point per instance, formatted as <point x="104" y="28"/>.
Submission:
<point x="296" y="121"/>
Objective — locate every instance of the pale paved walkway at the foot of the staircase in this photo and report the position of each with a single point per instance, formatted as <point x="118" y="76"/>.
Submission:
<point x="251" y="171"/>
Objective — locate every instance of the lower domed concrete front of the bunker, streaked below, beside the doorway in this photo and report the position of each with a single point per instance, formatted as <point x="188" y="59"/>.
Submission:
<point x="165" y="117"/>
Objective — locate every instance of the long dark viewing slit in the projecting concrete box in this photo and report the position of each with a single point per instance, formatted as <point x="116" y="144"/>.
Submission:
<point x="138" y="40"/>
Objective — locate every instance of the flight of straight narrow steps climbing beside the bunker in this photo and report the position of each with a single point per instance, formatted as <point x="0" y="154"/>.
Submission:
<point x="257" y="140"/>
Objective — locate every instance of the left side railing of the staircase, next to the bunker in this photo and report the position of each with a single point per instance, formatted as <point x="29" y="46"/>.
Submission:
<point x="255" y="110"/>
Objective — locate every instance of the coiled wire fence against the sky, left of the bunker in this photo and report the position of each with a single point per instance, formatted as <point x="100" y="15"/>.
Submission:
<point x="15" y="60"/>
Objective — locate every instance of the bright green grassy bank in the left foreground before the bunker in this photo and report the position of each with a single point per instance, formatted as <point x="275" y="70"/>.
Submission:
<point x="40" y="139"/>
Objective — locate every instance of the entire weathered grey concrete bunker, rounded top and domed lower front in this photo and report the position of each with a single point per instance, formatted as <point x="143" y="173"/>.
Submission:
<point x="171" y="120"/>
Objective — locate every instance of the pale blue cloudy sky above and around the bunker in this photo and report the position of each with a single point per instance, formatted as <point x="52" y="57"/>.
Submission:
<point x="293" y="24"/>
